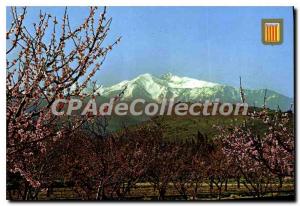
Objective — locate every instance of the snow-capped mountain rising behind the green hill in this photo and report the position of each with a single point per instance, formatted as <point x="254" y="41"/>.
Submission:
<point x="154" y="89"/>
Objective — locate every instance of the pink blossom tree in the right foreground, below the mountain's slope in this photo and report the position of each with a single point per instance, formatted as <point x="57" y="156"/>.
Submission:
<point x="261" y="158"/>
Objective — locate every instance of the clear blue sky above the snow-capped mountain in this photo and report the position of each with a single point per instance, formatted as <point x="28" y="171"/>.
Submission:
<point x="216" y="44"/>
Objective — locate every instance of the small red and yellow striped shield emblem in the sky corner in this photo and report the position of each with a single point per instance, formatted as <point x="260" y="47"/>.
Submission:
<point x="272" y="31"/>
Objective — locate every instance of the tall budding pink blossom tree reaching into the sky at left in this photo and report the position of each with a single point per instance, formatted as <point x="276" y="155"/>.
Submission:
<point x="43" y="64"/>
